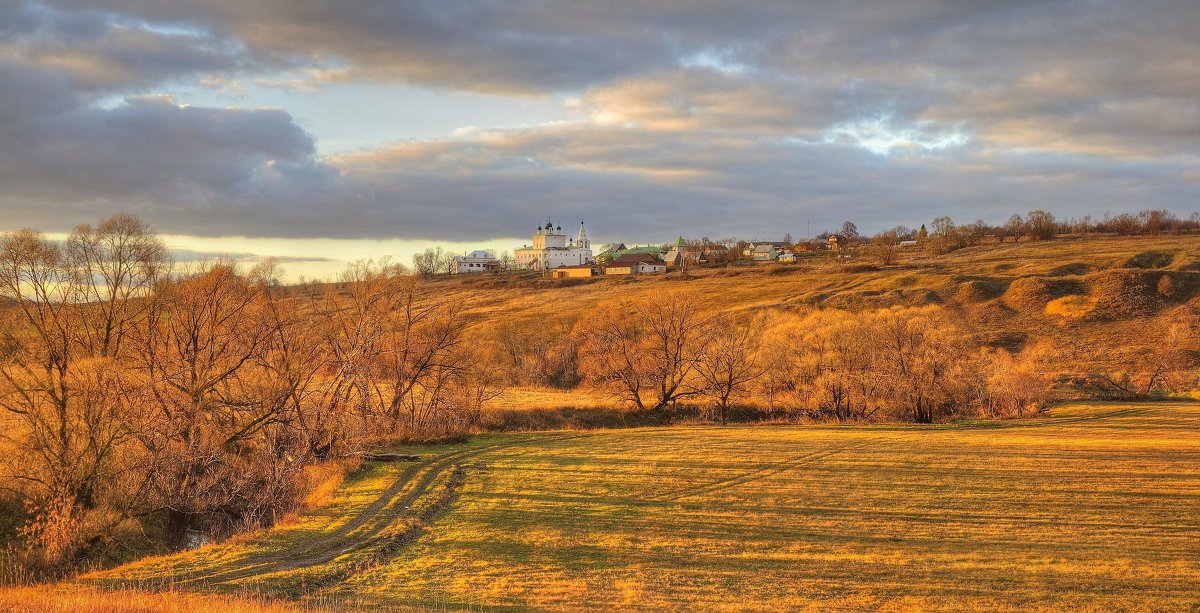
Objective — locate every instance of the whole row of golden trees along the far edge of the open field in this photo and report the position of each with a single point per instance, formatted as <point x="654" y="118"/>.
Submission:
<point x="901" y="364"/>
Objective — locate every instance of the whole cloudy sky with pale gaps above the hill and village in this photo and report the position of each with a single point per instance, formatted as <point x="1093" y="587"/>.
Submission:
<point x="323" y="133"/>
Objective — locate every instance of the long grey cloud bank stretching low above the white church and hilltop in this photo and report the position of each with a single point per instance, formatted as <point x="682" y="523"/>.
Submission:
<point x="686" y="183"/>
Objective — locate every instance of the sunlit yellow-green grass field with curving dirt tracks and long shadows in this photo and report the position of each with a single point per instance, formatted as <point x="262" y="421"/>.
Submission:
<point x="1096" y="507"/>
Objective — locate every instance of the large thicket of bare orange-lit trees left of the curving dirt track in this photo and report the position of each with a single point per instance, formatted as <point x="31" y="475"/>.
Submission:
<point x="134" y="392"/>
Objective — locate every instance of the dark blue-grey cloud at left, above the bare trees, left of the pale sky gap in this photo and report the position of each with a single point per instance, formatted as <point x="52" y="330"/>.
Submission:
<point x="188" y="170"/>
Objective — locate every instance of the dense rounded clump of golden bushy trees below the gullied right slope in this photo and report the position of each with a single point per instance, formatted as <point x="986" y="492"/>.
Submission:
<point x="910" y="364"/>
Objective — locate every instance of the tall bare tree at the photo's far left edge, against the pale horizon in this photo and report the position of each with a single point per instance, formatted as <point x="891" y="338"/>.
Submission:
<point x="74" y="426"/>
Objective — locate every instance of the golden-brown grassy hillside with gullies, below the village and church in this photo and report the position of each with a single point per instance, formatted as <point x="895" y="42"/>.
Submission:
<point x="1084" y="297"/>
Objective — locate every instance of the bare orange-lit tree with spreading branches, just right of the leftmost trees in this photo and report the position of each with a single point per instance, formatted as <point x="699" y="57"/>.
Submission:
<point x="195" y="356"/>
